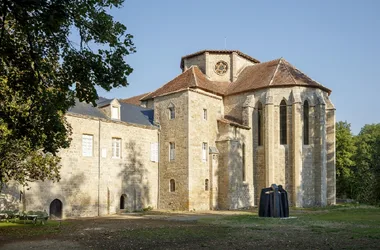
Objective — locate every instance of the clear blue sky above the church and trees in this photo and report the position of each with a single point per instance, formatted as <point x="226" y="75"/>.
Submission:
<point x="336" y="43"/>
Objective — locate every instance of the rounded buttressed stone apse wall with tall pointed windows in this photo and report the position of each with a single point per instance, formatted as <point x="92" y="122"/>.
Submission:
<point x="309" y="178"/>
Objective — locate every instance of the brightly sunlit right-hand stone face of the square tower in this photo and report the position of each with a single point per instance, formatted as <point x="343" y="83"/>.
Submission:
<point x="201" y="131"/>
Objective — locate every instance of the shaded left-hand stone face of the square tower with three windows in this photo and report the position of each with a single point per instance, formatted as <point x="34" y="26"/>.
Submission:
<point x="173" y="130"/>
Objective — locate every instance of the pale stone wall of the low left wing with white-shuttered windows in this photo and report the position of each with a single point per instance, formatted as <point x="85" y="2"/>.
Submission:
<point x="92" y="185"/>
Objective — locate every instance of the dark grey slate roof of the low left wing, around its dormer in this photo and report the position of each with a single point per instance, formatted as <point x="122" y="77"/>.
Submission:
<point x="128" y="112"/>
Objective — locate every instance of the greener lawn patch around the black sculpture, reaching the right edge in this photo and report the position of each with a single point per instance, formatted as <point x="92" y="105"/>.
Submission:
<point x="351" y="221"/>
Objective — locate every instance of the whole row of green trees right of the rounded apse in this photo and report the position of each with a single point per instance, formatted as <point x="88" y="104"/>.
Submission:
<point x="358" y="163"/>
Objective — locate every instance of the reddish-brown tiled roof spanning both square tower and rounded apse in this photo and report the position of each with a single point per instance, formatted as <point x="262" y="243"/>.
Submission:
<point x="275" y="73"/>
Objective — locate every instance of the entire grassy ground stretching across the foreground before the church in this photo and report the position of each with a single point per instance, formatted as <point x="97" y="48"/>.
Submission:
<point x="337" y="227"/>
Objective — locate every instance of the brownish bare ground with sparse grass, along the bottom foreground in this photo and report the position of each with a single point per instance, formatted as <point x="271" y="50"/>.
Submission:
<point x="176" y="231"/>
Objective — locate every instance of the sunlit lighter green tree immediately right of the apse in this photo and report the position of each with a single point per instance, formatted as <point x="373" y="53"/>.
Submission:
<point x="345" y="152"/>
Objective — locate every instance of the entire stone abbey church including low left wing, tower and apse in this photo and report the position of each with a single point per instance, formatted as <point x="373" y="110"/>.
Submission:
<point x="211" y="138"/>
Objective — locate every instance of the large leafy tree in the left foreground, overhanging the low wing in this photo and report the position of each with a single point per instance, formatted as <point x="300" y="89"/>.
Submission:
<point x="42" y="71"/>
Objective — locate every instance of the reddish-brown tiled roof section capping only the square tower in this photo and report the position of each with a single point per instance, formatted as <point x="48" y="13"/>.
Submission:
<point x="191" y="78"/>
